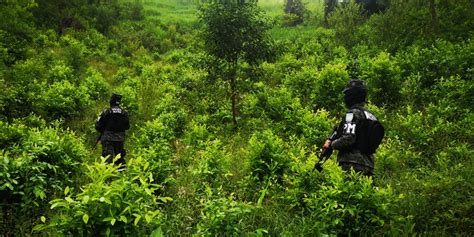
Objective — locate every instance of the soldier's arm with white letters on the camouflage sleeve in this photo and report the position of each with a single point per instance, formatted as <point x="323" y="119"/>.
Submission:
<point x="348" y="137"/>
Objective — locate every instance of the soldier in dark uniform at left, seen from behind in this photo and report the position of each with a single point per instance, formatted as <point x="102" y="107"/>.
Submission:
<point x="112" y="124"/>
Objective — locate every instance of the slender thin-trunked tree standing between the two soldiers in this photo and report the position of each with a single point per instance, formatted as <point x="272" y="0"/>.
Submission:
<point x="234" y="31"/>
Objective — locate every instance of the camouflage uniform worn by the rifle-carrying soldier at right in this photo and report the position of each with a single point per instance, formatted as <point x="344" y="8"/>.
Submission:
<point x="349" y="155"/>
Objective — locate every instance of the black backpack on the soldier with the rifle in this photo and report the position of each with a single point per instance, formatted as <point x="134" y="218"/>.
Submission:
<point x="370" y="134"/>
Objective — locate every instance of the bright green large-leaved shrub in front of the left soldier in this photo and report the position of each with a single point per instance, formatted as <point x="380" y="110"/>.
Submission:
<point x="111" y="203"/>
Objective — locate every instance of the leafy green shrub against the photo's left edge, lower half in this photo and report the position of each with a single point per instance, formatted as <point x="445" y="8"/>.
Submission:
<point x="36" y="167"/>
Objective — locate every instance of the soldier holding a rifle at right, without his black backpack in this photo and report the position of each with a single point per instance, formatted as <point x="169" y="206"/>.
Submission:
<point x="345" y="139"/>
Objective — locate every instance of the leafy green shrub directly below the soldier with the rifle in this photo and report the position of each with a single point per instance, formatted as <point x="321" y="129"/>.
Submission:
<point x="349" y="204"/>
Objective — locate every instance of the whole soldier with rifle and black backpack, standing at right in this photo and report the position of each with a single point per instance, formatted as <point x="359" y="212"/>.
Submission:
<point x="358" y="134"/>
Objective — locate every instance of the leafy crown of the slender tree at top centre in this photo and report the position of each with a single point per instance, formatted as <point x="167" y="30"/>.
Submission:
<point x="235" y="30"/>
